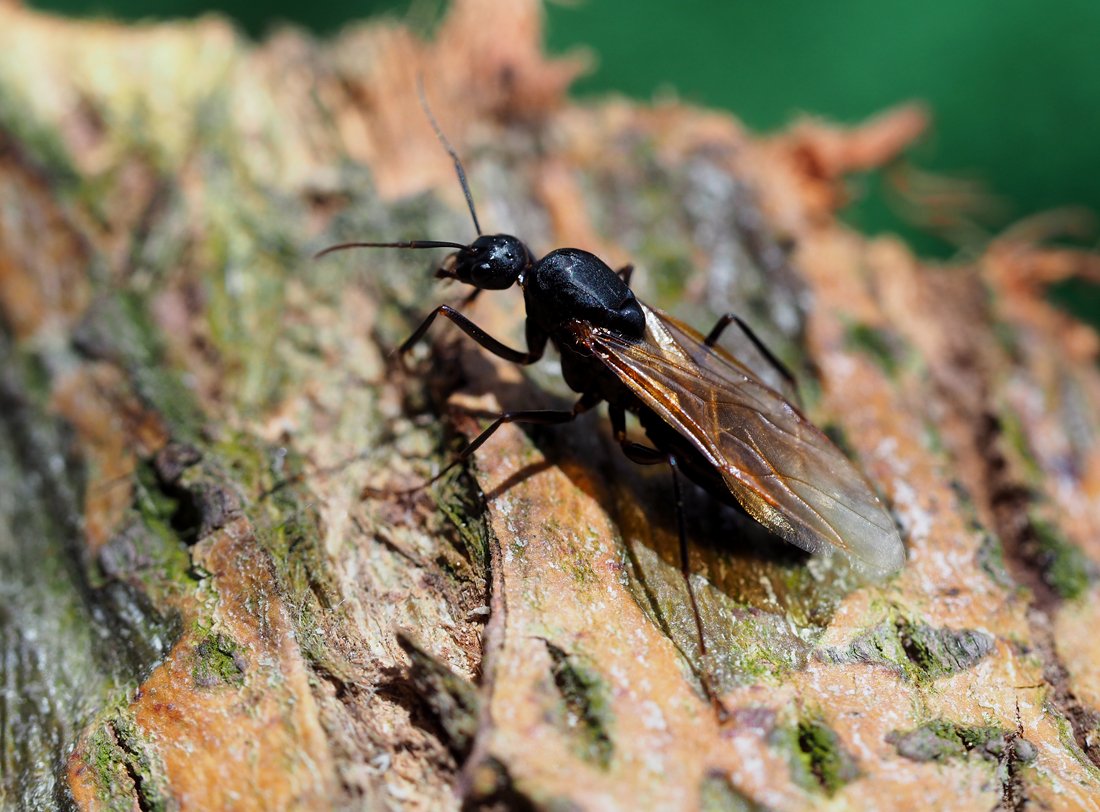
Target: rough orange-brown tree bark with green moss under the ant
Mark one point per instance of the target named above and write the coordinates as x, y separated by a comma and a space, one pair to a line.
200, 609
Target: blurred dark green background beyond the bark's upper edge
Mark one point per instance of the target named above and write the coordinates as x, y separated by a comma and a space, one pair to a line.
1014, 85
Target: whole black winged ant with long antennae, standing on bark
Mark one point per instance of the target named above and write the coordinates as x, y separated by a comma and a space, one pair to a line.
707, 414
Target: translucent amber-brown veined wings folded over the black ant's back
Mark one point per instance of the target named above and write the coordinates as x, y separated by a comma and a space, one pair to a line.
783, 470
